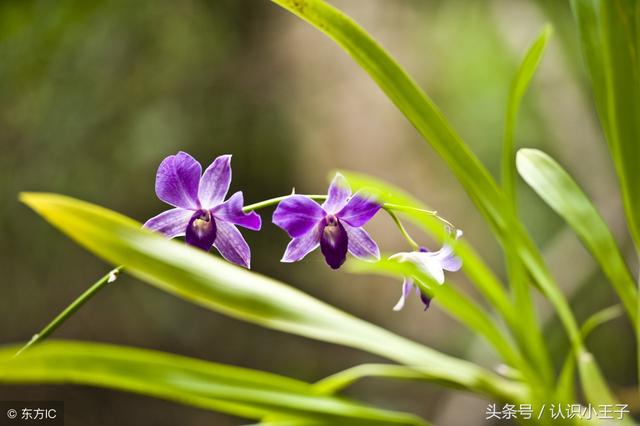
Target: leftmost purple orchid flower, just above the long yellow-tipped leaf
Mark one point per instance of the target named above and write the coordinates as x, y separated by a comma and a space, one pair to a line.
200, 212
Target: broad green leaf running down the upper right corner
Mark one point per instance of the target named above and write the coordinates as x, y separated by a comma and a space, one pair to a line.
609, 34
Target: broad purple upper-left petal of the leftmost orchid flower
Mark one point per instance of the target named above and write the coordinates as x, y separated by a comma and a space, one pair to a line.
177, 181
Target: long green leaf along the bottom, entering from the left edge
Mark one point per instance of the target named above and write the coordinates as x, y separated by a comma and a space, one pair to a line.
238, 391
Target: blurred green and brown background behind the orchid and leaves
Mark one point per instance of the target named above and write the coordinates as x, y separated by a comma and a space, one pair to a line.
93, 95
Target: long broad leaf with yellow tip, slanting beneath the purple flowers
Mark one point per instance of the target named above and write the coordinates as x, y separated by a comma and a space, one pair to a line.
218, 285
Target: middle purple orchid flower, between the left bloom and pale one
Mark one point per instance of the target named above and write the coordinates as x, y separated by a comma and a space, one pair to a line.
335, 226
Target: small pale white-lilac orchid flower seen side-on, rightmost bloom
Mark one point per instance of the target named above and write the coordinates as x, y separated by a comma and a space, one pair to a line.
433, 263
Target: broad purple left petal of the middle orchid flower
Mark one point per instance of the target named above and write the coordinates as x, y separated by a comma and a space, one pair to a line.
297, 215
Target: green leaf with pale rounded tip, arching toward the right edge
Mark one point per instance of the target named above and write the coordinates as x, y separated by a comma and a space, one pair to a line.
556, 187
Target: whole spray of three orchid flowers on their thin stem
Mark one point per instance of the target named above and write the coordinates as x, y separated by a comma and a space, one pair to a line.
206, 220
